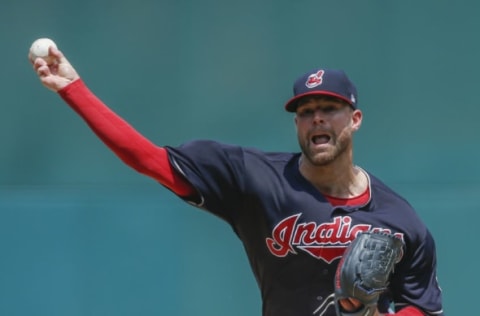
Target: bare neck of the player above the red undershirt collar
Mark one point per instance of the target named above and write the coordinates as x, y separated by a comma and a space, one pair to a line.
337, 179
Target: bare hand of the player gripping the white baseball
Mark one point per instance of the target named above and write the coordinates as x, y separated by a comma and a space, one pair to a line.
53, 69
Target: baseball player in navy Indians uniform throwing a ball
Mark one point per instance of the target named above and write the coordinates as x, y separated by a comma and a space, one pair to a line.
295, 213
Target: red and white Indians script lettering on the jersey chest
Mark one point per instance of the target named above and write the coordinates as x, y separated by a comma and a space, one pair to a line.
325, 241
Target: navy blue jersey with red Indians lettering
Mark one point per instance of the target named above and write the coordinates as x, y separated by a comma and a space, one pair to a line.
294, 237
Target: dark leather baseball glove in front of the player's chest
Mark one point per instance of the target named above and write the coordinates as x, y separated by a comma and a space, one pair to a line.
363, 272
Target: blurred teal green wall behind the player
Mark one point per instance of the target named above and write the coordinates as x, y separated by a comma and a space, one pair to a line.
82, 234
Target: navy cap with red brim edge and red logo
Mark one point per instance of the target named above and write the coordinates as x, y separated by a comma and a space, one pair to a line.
330, 82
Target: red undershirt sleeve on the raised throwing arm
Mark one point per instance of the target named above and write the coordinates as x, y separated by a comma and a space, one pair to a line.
128, 144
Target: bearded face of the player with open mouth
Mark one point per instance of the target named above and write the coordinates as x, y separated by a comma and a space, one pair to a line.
324, 128
